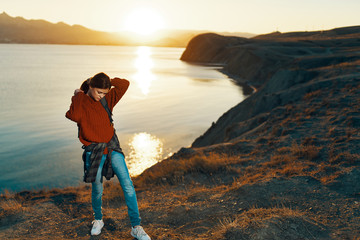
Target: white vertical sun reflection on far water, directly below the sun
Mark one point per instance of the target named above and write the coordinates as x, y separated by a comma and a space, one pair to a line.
144, 64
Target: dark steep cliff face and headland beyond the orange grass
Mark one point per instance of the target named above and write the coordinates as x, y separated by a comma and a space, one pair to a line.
283, 71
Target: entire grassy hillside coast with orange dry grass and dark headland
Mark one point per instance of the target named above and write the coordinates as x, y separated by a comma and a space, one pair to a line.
284, 163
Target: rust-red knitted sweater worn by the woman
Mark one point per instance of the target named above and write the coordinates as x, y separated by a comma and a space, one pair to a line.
92, 117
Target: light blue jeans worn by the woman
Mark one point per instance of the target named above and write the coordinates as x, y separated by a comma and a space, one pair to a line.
122, 173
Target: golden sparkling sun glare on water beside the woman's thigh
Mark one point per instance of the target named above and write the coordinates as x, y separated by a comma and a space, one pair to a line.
145, 151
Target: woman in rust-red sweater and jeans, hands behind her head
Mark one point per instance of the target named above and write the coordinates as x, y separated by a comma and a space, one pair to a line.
102, 153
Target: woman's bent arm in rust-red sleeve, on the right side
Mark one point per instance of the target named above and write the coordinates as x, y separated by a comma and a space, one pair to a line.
120, 86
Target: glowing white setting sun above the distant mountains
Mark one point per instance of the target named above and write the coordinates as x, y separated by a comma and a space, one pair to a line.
144, 21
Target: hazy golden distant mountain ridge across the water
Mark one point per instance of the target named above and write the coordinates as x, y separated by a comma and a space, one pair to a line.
20, 30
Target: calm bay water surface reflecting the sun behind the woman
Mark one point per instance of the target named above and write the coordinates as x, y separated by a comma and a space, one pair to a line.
169, 104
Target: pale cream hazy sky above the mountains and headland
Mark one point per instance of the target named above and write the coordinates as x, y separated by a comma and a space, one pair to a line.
255, 16
